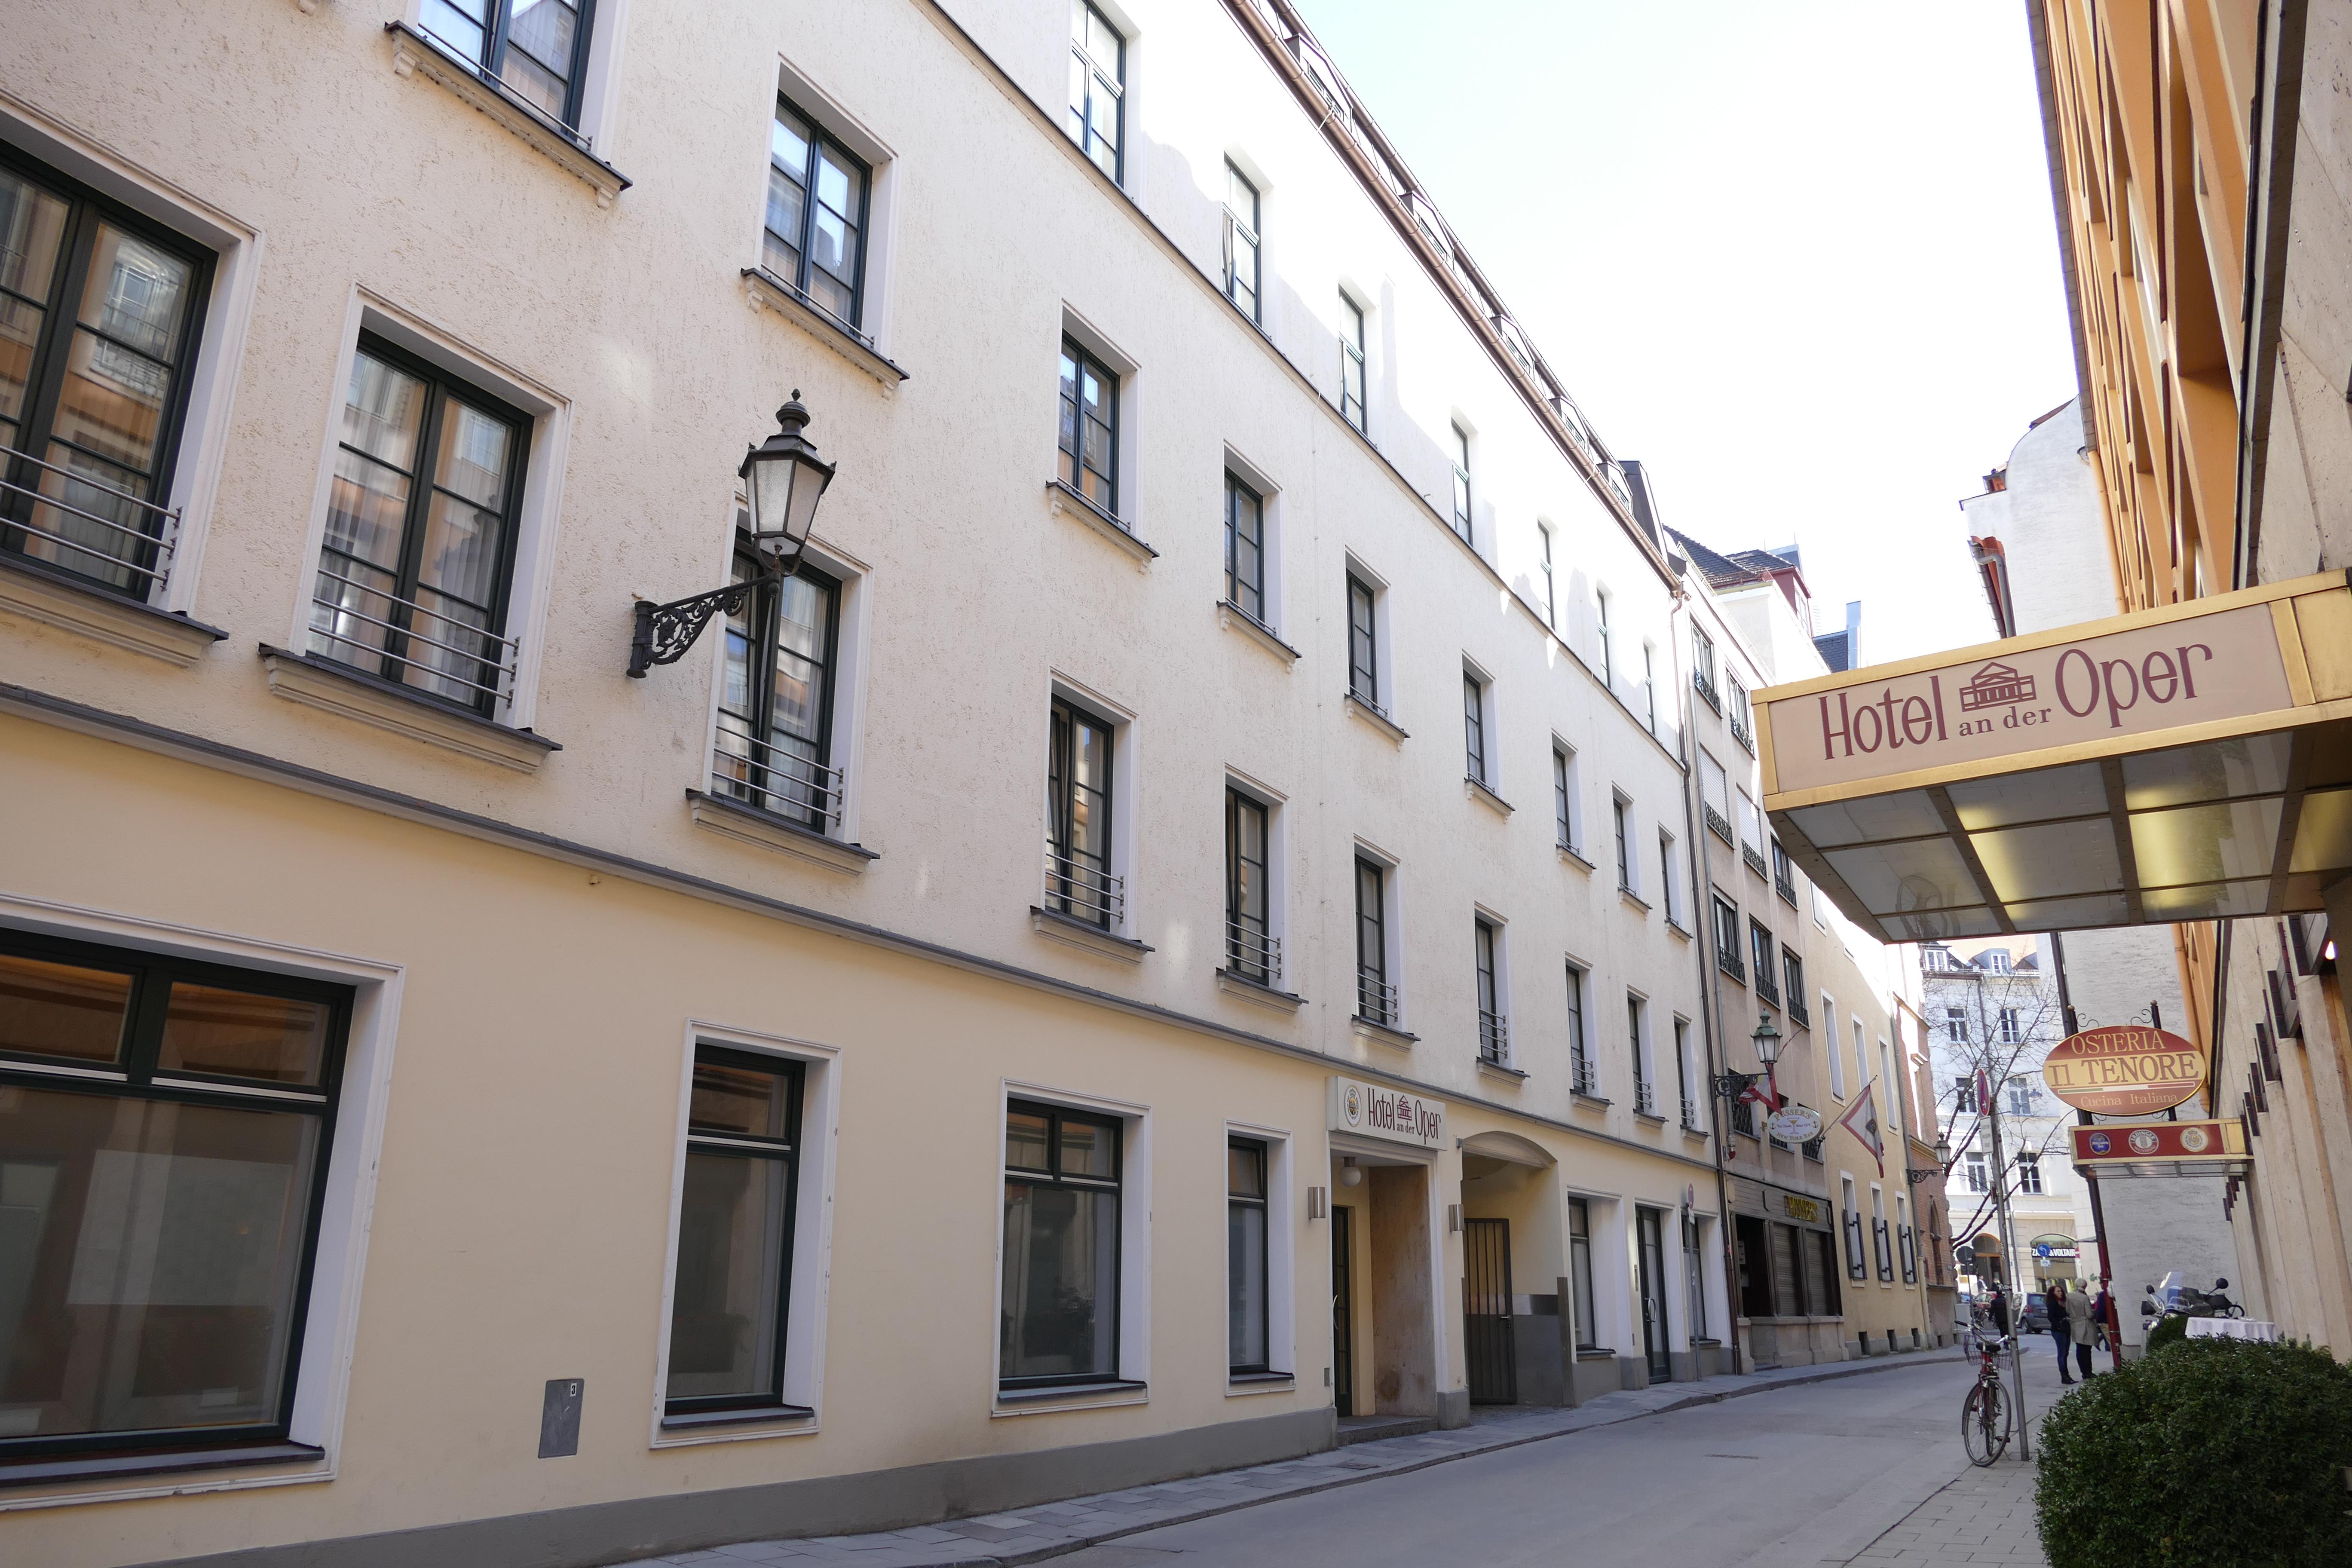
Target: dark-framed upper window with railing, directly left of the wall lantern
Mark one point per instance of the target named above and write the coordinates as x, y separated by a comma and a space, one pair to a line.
420, 551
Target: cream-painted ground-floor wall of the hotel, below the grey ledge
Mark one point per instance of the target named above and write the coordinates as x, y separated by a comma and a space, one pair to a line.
530, 1139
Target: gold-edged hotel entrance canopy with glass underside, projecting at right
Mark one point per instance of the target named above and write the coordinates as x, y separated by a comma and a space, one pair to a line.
2181, 763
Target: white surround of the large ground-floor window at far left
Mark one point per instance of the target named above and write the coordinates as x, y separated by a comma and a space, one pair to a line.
347, 1209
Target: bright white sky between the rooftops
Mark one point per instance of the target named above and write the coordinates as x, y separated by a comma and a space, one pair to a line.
1796, 257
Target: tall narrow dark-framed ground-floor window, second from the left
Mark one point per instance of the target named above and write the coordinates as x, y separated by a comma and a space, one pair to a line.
735, 1235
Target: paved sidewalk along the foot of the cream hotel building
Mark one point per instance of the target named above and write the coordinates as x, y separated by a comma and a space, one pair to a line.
1055, 1529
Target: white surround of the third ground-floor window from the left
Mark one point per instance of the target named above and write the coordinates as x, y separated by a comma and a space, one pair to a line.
1135, 1257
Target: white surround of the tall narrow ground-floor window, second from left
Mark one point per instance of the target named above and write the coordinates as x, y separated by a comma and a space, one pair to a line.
810, 1280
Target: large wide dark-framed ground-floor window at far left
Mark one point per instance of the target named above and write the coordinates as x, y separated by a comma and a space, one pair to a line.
166, 1137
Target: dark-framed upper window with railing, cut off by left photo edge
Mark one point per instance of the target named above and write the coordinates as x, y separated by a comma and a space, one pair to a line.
100, 319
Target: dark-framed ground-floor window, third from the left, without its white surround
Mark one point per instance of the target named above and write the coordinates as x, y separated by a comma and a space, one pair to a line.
1062, 1247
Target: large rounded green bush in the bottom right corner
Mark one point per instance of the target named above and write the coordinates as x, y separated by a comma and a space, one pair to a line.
2217, 1454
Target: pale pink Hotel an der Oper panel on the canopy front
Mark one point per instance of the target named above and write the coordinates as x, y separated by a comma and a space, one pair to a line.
2127, 683
